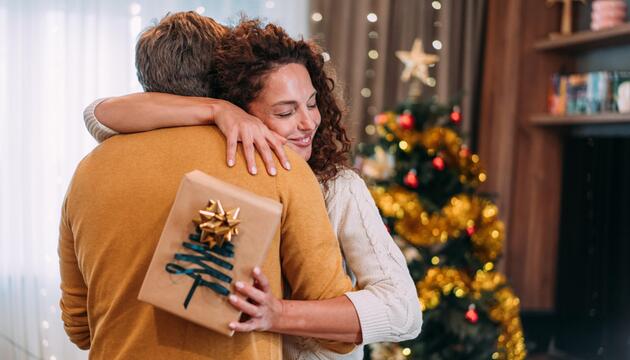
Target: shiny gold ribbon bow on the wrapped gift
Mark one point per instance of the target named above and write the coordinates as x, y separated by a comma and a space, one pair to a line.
217, 226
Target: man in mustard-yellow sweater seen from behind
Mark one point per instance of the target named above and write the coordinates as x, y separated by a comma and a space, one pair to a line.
119, 199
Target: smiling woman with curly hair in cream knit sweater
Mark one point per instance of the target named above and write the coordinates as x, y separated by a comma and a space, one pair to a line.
282, 82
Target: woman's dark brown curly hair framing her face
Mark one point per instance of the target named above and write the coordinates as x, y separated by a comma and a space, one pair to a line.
252, 51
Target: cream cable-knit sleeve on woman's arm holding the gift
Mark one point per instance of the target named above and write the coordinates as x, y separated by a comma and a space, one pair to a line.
387, 304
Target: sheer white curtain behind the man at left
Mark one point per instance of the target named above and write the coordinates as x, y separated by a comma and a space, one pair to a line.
55, 58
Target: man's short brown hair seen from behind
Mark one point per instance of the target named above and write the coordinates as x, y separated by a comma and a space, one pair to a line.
175, 55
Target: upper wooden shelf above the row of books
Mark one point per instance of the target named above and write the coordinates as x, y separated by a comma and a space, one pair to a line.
587, 40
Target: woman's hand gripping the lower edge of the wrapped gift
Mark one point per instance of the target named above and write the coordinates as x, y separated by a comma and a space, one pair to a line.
263, 308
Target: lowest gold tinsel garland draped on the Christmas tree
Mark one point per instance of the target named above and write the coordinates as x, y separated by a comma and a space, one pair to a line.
444, 281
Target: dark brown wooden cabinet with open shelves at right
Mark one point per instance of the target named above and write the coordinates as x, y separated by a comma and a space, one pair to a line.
520, 145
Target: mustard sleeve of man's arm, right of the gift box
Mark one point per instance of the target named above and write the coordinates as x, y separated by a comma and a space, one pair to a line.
311, 260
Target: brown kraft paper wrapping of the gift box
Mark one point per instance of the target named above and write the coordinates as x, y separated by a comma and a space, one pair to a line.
259, 221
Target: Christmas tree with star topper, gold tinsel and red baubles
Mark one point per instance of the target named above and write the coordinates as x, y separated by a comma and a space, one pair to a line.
424, 181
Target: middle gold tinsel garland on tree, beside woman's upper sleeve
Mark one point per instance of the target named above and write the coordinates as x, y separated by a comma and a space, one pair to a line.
461, 213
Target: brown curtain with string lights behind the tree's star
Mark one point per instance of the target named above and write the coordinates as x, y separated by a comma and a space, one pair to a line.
452, 29
